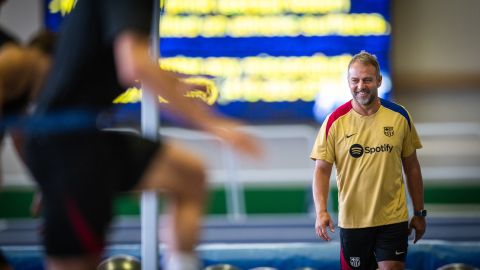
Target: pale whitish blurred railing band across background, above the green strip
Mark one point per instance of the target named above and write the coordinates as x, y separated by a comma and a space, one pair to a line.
451, 152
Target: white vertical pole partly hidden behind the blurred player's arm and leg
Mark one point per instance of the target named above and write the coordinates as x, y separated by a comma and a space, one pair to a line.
150, 126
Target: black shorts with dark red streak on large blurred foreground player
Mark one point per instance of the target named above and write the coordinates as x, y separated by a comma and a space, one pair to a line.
79, 174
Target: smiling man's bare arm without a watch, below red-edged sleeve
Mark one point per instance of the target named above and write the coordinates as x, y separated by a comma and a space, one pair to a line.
320, 188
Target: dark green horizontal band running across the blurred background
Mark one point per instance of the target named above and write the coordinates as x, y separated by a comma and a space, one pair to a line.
16, 202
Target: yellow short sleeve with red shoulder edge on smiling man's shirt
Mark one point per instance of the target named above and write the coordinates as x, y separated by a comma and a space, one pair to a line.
323, 149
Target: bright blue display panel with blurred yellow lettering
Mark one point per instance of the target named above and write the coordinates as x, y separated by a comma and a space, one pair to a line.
269, 61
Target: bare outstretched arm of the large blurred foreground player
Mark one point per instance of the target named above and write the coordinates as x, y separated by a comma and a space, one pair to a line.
133, 62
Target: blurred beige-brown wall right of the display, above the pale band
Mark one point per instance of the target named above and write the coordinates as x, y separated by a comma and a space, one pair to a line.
436, 64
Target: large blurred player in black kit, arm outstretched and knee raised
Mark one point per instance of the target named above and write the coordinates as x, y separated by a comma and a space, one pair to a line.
103, 48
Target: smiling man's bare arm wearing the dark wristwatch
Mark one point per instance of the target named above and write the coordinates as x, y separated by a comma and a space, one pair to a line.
413, 174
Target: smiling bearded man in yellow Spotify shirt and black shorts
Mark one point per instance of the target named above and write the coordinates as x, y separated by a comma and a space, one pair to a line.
370, 140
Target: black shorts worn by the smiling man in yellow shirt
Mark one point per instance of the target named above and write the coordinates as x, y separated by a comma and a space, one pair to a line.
362, 248
